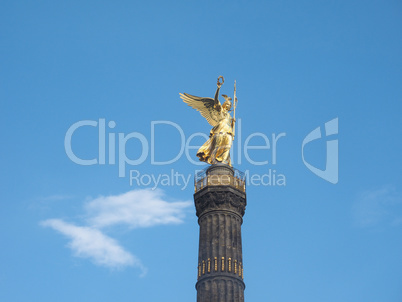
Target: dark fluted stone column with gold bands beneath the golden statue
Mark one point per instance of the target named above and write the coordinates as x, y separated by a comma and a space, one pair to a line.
220, 201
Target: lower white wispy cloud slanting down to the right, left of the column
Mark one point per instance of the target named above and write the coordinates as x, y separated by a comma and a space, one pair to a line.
87, 242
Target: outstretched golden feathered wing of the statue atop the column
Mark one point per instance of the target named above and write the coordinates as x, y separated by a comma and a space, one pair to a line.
204, 105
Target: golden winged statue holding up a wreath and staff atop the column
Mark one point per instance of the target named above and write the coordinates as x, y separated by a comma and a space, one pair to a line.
216, 149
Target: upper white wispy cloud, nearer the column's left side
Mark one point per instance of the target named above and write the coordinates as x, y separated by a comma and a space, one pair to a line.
137, 208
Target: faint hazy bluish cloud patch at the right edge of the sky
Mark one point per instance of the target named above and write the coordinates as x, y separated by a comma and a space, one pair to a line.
382, 205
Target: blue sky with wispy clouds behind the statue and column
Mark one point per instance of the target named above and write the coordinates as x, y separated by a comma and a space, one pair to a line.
74, 232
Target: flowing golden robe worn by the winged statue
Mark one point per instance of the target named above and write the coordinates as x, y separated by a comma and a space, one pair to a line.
216, 149
